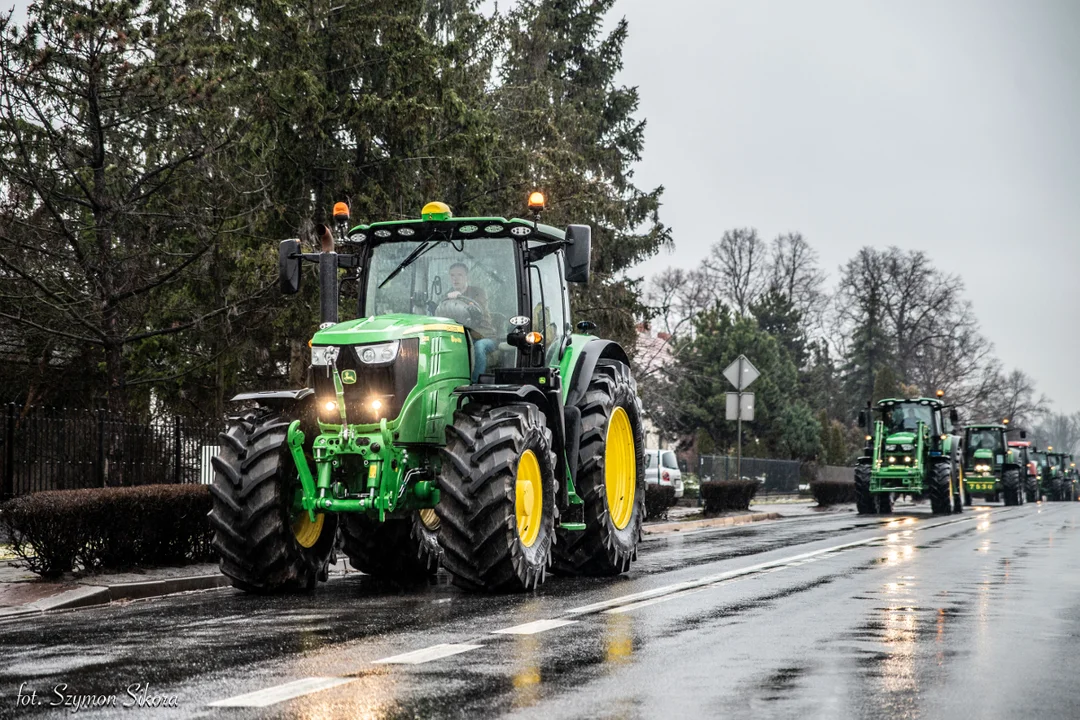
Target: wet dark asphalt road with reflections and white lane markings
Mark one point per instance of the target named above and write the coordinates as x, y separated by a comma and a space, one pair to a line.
832, 617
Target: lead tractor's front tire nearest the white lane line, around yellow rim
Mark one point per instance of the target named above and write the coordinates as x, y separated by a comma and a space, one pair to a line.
479, 534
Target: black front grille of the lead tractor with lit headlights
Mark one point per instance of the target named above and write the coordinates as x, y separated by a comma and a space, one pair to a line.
380, 390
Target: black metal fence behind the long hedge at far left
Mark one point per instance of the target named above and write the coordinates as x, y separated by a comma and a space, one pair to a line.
47, 450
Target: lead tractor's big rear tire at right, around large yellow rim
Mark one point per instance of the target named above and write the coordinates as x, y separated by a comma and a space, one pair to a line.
603, 549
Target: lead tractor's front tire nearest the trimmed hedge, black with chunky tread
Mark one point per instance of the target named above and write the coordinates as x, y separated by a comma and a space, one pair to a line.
252, 514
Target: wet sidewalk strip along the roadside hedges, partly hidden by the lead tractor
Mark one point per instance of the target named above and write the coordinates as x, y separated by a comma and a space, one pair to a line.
24, 594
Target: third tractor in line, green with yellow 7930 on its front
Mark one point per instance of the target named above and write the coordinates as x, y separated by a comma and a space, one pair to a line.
992, 470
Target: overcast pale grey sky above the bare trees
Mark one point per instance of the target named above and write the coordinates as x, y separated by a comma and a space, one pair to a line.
951, 127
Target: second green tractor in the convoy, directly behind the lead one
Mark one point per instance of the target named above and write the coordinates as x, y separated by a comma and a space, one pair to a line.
910, 450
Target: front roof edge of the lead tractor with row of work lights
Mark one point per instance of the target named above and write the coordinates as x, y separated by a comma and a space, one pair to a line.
462, 228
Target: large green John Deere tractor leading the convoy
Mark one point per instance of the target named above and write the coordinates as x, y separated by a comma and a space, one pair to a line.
456, 422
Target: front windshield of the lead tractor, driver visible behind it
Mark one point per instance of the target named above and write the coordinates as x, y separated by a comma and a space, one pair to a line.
472, 282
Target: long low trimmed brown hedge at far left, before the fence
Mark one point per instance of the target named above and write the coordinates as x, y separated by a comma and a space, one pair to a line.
59, 532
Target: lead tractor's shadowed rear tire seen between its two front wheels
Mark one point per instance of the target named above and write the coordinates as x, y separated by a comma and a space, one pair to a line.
404, 551
